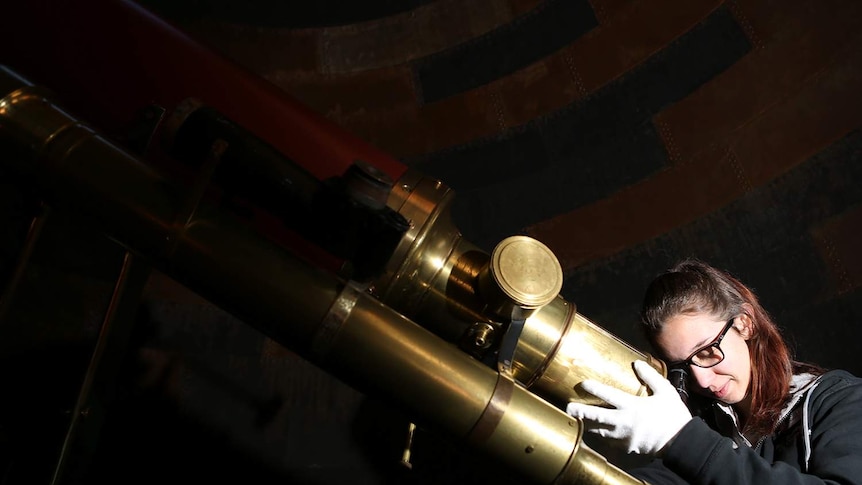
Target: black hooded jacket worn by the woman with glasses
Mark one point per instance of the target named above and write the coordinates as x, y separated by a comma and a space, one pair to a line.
819, 440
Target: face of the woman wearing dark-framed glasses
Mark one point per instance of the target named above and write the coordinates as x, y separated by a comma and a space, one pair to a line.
729, 380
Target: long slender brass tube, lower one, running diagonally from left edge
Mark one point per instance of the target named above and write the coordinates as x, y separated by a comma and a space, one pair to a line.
339, 327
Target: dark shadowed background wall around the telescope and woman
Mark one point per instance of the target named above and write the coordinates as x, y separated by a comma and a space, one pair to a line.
624, 134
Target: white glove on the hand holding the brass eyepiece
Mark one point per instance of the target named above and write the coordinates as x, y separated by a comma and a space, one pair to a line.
643, 424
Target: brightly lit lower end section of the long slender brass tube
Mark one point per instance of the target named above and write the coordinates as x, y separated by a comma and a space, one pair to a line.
467, 399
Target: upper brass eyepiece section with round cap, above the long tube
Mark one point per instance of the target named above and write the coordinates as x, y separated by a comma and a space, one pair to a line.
447, 285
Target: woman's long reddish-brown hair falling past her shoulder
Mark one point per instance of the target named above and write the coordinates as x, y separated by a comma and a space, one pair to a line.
692, 286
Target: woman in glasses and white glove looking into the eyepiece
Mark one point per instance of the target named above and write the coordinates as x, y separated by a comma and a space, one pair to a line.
754, 415
